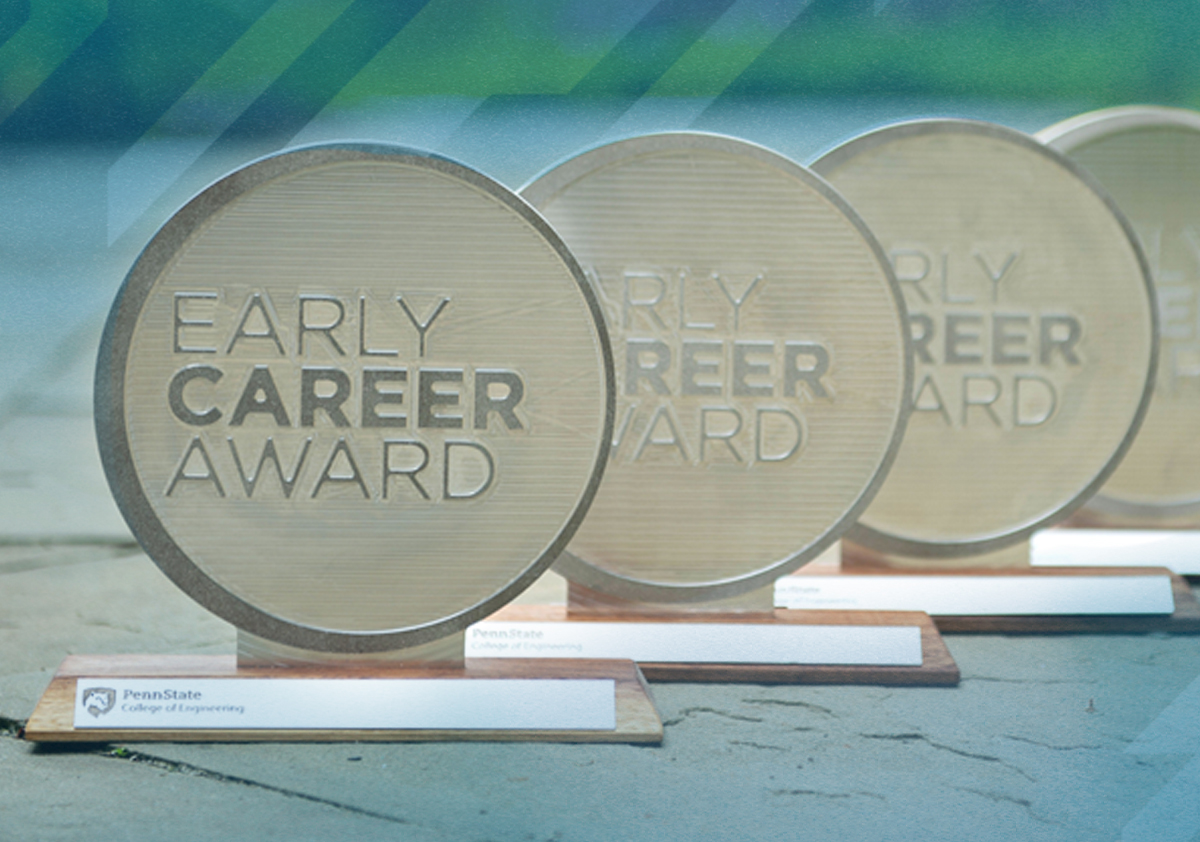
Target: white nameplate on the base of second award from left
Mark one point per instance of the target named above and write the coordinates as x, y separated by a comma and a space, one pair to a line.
700, 643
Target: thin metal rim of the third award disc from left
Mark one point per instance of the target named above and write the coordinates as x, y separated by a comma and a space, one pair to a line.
887, 543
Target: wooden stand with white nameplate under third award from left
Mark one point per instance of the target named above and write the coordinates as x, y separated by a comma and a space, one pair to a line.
1004, 593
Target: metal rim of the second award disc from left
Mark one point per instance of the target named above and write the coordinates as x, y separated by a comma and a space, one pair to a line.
544, 187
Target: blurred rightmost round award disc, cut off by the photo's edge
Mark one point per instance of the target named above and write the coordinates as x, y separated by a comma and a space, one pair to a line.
1149, 160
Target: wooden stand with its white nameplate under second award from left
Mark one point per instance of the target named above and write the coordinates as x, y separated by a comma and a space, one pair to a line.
680, 643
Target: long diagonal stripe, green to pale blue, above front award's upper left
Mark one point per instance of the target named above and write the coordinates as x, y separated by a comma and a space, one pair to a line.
224, 93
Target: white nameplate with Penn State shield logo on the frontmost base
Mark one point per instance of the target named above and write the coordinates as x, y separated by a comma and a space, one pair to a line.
359, 705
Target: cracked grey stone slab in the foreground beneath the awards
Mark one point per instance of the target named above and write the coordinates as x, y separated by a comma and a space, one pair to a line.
1040, 742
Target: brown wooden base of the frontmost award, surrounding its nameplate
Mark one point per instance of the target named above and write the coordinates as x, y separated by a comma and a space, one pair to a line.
53, 720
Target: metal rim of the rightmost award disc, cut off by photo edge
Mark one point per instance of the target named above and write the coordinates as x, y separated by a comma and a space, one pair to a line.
1069, 136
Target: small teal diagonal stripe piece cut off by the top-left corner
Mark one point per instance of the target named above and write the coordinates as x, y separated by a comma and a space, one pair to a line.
53, 32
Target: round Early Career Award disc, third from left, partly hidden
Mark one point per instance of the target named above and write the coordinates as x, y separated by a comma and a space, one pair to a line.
1034, 332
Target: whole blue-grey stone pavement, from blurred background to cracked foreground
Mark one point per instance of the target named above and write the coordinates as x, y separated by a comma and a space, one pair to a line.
1089, 738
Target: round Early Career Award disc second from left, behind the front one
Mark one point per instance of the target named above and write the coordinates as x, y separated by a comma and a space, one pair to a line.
763, 366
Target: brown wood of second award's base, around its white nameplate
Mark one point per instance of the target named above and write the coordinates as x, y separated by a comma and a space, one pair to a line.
938, 667
